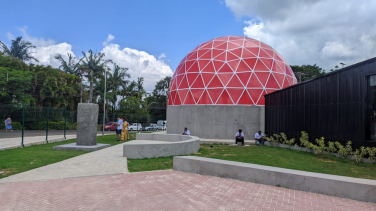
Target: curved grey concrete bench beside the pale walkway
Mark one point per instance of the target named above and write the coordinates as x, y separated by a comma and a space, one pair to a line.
149, 145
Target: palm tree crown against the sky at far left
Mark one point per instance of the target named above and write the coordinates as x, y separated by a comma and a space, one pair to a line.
19, 49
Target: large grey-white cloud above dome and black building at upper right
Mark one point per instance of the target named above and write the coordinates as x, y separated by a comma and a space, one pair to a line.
312, 31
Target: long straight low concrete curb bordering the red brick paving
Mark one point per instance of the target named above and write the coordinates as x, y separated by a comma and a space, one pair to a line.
345, 187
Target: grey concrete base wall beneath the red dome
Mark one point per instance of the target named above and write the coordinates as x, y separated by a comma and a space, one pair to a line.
216, 121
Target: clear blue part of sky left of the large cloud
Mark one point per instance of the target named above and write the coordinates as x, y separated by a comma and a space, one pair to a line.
162, 26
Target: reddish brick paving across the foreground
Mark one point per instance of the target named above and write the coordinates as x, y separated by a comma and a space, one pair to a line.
163, 190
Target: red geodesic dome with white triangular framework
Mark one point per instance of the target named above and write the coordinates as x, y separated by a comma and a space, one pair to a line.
230, 70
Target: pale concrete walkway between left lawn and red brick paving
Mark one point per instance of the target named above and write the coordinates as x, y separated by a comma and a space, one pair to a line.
102, 162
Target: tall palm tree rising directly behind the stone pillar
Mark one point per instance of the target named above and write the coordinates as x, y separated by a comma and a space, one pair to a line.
95, 65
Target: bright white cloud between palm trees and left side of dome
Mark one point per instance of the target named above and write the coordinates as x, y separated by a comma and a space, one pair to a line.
140, 64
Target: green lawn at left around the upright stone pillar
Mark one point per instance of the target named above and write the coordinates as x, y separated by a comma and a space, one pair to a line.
18, 160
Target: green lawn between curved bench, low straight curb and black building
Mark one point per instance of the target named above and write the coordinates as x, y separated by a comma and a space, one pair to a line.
269, 156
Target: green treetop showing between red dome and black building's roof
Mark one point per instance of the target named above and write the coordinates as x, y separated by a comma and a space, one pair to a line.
307, 72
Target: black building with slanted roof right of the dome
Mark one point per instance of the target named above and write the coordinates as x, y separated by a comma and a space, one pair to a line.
339, 106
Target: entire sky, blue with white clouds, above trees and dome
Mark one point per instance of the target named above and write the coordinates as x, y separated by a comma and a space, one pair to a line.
152, 36
